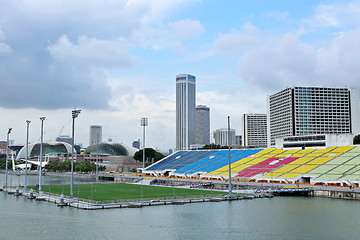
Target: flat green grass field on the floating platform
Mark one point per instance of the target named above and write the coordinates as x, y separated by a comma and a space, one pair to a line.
125, 192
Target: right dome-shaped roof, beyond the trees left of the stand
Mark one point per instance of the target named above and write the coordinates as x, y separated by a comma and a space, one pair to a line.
111, 149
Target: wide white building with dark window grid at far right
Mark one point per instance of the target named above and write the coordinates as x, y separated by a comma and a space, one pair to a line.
299, 111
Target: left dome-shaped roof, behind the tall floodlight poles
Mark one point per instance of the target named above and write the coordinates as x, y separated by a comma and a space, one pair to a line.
54, 148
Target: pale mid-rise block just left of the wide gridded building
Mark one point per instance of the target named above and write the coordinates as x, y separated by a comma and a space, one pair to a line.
254, 130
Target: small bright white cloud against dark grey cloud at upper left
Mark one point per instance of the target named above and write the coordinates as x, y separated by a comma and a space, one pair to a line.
90, 51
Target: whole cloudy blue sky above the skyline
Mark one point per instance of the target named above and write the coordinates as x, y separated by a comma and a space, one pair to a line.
117, 61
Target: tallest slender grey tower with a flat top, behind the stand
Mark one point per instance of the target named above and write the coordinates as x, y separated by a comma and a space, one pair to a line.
185, 111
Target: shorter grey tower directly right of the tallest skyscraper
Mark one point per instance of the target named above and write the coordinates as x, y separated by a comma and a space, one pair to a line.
202, 125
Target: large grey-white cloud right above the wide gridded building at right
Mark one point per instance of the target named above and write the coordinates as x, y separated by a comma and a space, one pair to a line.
287, 61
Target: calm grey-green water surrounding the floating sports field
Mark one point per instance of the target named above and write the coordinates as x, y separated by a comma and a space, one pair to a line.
276, 218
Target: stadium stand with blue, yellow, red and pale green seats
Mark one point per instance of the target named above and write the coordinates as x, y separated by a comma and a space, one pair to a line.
333, 164
